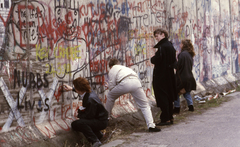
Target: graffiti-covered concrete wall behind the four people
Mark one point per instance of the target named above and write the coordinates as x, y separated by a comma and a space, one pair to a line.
44, 44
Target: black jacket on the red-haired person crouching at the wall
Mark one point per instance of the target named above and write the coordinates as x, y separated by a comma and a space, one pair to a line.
94, 108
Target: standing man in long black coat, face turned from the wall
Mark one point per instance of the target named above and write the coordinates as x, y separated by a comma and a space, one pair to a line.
164, 83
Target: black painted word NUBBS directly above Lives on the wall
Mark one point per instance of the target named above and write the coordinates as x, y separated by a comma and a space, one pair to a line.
34, 80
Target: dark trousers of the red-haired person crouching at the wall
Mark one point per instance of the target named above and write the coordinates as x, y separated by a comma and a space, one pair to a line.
90, 128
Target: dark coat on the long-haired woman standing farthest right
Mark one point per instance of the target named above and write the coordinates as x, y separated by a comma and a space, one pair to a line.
184, 75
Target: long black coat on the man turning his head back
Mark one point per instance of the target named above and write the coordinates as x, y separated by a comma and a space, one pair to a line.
163, 72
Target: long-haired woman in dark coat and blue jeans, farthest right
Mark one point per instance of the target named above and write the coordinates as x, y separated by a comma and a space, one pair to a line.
185, 79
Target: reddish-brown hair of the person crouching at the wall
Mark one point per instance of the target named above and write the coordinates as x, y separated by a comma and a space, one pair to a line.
82, 84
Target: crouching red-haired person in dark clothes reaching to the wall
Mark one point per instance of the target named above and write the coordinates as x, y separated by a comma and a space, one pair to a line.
93, 117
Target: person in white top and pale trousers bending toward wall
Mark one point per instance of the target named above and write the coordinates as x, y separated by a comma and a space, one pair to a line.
123, 80
